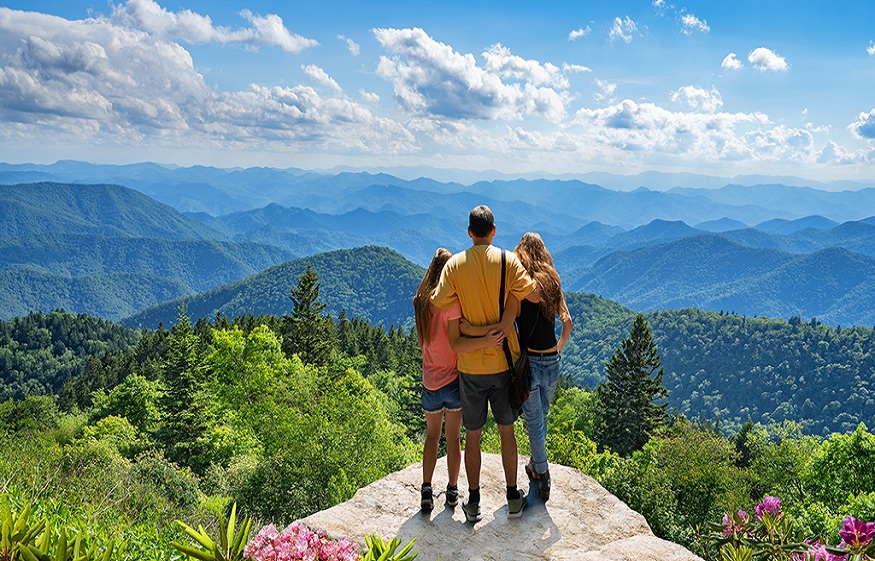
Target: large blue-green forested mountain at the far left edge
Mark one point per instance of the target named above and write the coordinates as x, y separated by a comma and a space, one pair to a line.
110, 251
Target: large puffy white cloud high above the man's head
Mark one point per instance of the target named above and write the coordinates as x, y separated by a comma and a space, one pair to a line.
431, 79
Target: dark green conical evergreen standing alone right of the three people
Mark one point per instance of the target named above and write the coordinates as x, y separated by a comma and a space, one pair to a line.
629, 416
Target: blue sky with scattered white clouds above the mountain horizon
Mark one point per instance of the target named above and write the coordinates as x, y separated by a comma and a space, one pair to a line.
768, 87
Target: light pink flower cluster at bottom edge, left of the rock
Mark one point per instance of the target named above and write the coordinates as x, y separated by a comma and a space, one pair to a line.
299, 543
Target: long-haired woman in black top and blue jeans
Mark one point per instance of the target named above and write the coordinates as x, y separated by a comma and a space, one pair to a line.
536, 325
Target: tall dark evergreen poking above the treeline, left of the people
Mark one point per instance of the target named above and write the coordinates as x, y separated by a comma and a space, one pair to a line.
308, 332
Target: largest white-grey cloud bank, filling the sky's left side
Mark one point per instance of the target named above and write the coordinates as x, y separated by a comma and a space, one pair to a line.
94, 80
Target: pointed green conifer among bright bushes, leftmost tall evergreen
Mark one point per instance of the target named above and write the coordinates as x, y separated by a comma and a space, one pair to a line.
184, 411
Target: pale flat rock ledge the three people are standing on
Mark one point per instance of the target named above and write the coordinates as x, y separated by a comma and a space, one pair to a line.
581, 521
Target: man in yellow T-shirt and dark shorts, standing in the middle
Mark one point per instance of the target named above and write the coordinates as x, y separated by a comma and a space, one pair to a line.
473, 277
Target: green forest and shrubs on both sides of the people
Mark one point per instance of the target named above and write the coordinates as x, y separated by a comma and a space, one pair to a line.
114, 433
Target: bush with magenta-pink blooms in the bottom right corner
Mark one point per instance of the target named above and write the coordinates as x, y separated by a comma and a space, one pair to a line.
771, 535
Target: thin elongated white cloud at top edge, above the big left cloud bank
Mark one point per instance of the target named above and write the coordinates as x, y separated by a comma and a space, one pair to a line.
190, 27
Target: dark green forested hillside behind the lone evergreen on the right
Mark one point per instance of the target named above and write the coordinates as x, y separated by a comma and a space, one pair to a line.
729, 368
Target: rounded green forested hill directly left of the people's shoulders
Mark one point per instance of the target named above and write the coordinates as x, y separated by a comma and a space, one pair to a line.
373, 283
